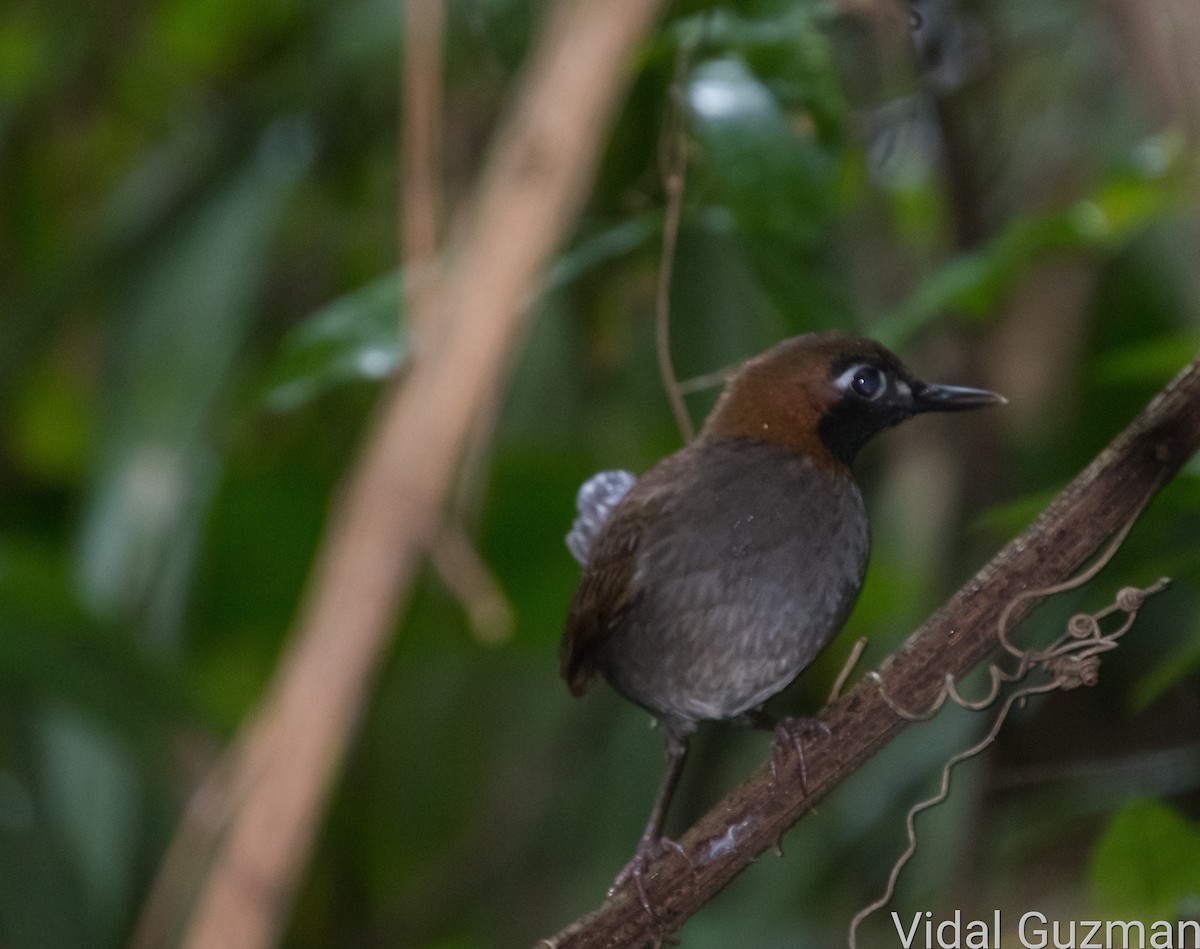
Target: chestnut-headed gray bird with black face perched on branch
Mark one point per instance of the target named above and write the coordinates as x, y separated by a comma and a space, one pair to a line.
713, 580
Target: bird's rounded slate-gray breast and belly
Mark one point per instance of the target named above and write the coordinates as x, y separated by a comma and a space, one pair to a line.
752, 566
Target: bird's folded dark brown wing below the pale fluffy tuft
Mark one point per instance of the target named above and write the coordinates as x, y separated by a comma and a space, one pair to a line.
605, 594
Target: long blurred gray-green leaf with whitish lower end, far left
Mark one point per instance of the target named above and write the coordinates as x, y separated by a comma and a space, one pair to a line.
185, 322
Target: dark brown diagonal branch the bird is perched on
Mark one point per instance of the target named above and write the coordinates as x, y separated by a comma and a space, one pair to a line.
1107, 495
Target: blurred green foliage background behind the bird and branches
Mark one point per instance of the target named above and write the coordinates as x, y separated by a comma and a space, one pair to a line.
199, 298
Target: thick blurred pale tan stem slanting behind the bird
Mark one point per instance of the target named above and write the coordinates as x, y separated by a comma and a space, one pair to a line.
290, 755
